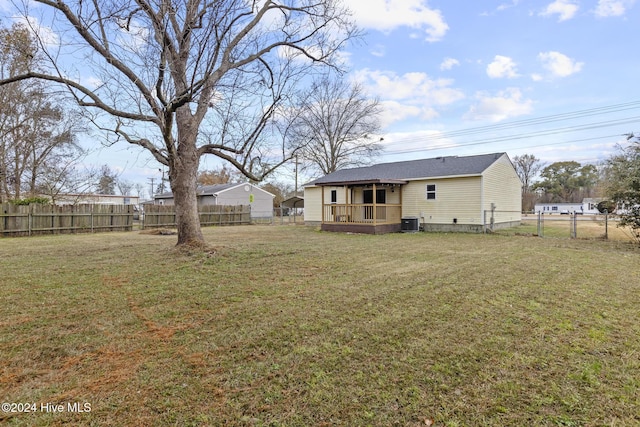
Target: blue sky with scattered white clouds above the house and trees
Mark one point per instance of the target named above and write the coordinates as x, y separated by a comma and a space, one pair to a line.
556, 79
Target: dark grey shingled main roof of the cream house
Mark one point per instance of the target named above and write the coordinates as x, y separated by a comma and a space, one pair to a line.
413, 169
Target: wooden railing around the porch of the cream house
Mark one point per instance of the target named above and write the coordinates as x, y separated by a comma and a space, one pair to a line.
362, 213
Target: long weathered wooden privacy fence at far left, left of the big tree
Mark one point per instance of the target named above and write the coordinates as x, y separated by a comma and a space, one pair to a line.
36, 219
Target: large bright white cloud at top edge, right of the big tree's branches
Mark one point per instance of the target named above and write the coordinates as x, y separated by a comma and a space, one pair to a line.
387, 15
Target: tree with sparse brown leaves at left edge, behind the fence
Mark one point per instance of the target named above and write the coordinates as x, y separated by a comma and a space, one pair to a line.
34, 127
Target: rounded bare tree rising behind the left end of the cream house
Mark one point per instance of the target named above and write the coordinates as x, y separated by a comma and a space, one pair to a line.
337, 124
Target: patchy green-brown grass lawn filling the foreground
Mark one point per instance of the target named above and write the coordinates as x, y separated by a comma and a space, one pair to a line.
288, 326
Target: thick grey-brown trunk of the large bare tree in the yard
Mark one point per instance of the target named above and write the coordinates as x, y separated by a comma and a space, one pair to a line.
183, 173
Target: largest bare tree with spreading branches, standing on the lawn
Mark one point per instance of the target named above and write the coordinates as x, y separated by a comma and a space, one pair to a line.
184, 79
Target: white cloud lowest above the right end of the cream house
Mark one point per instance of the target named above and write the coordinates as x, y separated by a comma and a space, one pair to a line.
506, 104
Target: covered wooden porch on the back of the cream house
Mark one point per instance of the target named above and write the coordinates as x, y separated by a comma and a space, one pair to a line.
371, 206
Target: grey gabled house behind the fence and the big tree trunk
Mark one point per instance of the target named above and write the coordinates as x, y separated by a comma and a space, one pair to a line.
261, 201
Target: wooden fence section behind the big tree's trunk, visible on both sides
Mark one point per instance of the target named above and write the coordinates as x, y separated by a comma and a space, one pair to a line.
165, 215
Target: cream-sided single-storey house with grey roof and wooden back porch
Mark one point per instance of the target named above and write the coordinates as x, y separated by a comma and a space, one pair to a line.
439, 194
